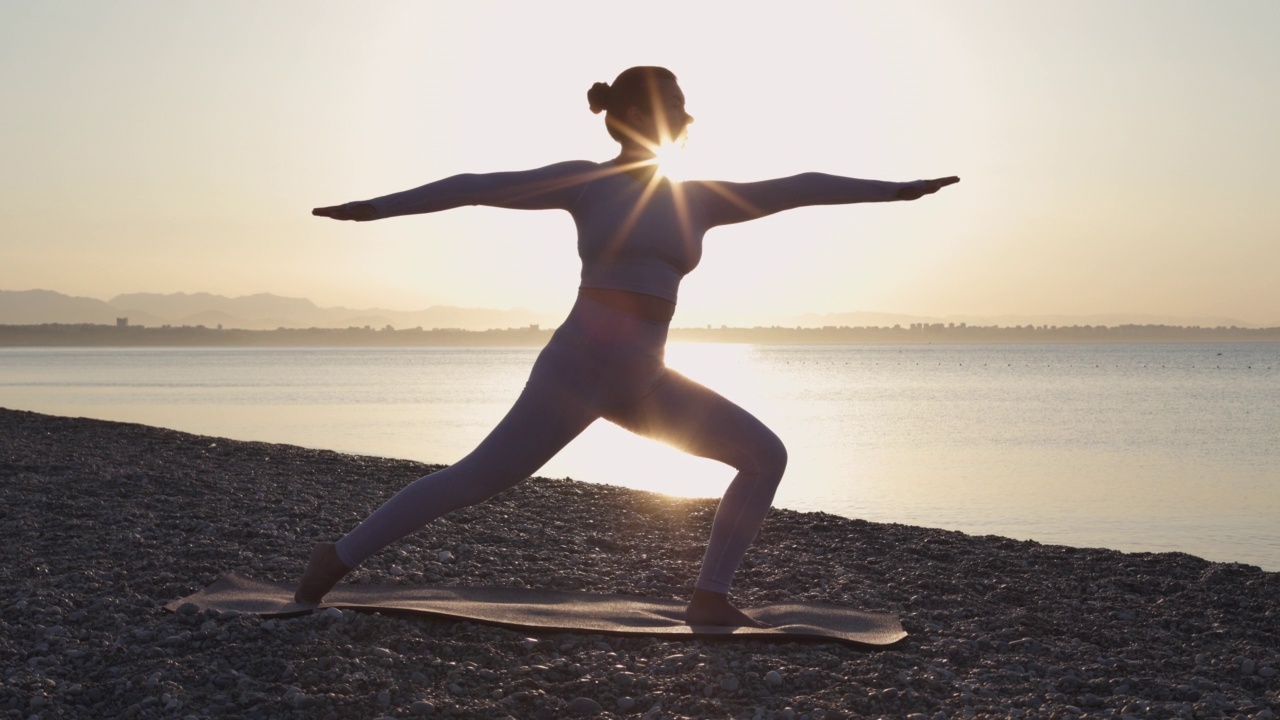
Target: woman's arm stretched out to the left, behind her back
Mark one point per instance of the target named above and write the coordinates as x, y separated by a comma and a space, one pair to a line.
545, 189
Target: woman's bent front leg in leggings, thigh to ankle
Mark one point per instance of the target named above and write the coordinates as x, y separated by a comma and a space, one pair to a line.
702, 422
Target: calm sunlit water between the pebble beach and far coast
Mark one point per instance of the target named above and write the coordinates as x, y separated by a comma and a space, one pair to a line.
1139, 448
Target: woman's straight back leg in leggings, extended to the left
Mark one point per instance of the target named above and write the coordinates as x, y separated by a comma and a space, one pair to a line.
542, 422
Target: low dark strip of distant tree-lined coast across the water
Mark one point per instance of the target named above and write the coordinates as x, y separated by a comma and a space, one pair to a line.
62, 335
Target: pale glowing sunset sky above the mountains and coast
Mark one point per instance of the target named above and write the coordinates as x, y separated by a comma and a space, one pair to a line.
1117, 158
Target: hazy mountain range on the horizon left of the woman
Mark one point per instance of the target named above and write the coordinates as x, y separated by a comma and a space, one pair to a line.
250, 312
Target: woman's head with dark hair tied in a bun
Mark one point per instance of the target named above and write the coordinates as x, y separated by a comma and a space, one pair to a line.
644, 107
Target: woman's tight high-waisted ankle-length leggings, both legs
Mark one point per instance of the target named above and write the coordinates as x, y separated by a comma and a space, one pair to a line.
601, 363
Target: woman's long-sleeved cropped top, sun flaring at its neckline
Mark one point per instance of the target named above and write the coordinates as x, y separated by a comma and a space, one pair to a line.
634, 235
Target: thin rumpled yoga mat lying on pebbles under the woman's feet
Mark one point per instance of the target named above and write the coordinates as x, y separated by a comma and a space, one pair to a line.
554, 610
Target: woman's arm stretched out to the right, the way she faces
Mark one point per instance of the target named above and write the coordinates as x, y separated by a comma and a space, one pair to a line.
738, 202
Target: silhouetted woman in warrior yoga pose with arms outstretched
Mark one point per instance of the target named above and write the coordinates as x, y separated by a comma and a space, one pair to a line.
638, 235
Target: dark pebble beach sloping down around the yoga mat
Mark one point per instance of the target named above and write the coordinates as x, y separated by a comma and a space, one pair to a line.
107, 522
